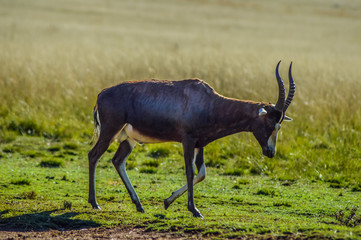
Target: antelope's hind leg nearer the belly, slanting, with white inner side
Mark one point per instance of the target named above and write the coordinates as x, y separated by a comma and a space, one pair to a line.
119, 161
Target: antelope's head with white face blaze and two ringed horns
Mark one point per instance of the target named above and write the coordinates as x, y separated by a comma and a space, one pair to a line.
268, 121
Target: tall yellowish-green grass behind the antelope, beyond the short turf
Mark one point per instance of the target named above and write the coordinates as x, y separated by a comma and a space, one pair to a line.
55, 58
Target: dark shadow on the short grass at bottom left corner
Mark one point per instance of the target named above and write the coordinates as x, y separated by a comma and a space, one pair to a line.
43, 221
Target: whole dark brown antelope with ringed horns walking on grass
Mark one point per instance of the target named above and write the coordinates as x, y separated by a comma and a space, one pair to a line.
189, 112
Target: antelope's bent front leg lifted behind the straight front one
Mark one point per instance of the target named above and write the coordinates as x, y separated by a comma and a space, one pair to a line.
200, 177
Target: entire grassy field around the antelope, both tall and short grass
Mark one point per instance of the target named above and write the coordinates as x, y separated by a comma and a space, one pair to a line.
54, 59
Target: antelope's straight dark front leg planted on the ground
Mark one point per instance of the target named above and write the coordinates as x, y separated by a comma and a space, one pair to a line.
188, 151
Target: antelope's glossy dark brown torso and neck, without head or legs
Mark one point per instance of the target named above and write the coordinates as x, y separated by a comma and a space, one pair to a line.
171, 111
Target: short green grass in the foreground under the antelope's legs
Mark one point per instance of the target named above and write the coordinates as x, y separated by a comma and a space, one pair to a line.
260, 205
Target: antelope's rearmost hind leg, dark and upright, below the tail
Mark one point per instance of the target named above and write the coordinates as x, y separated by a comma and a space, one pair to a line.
97, 151
